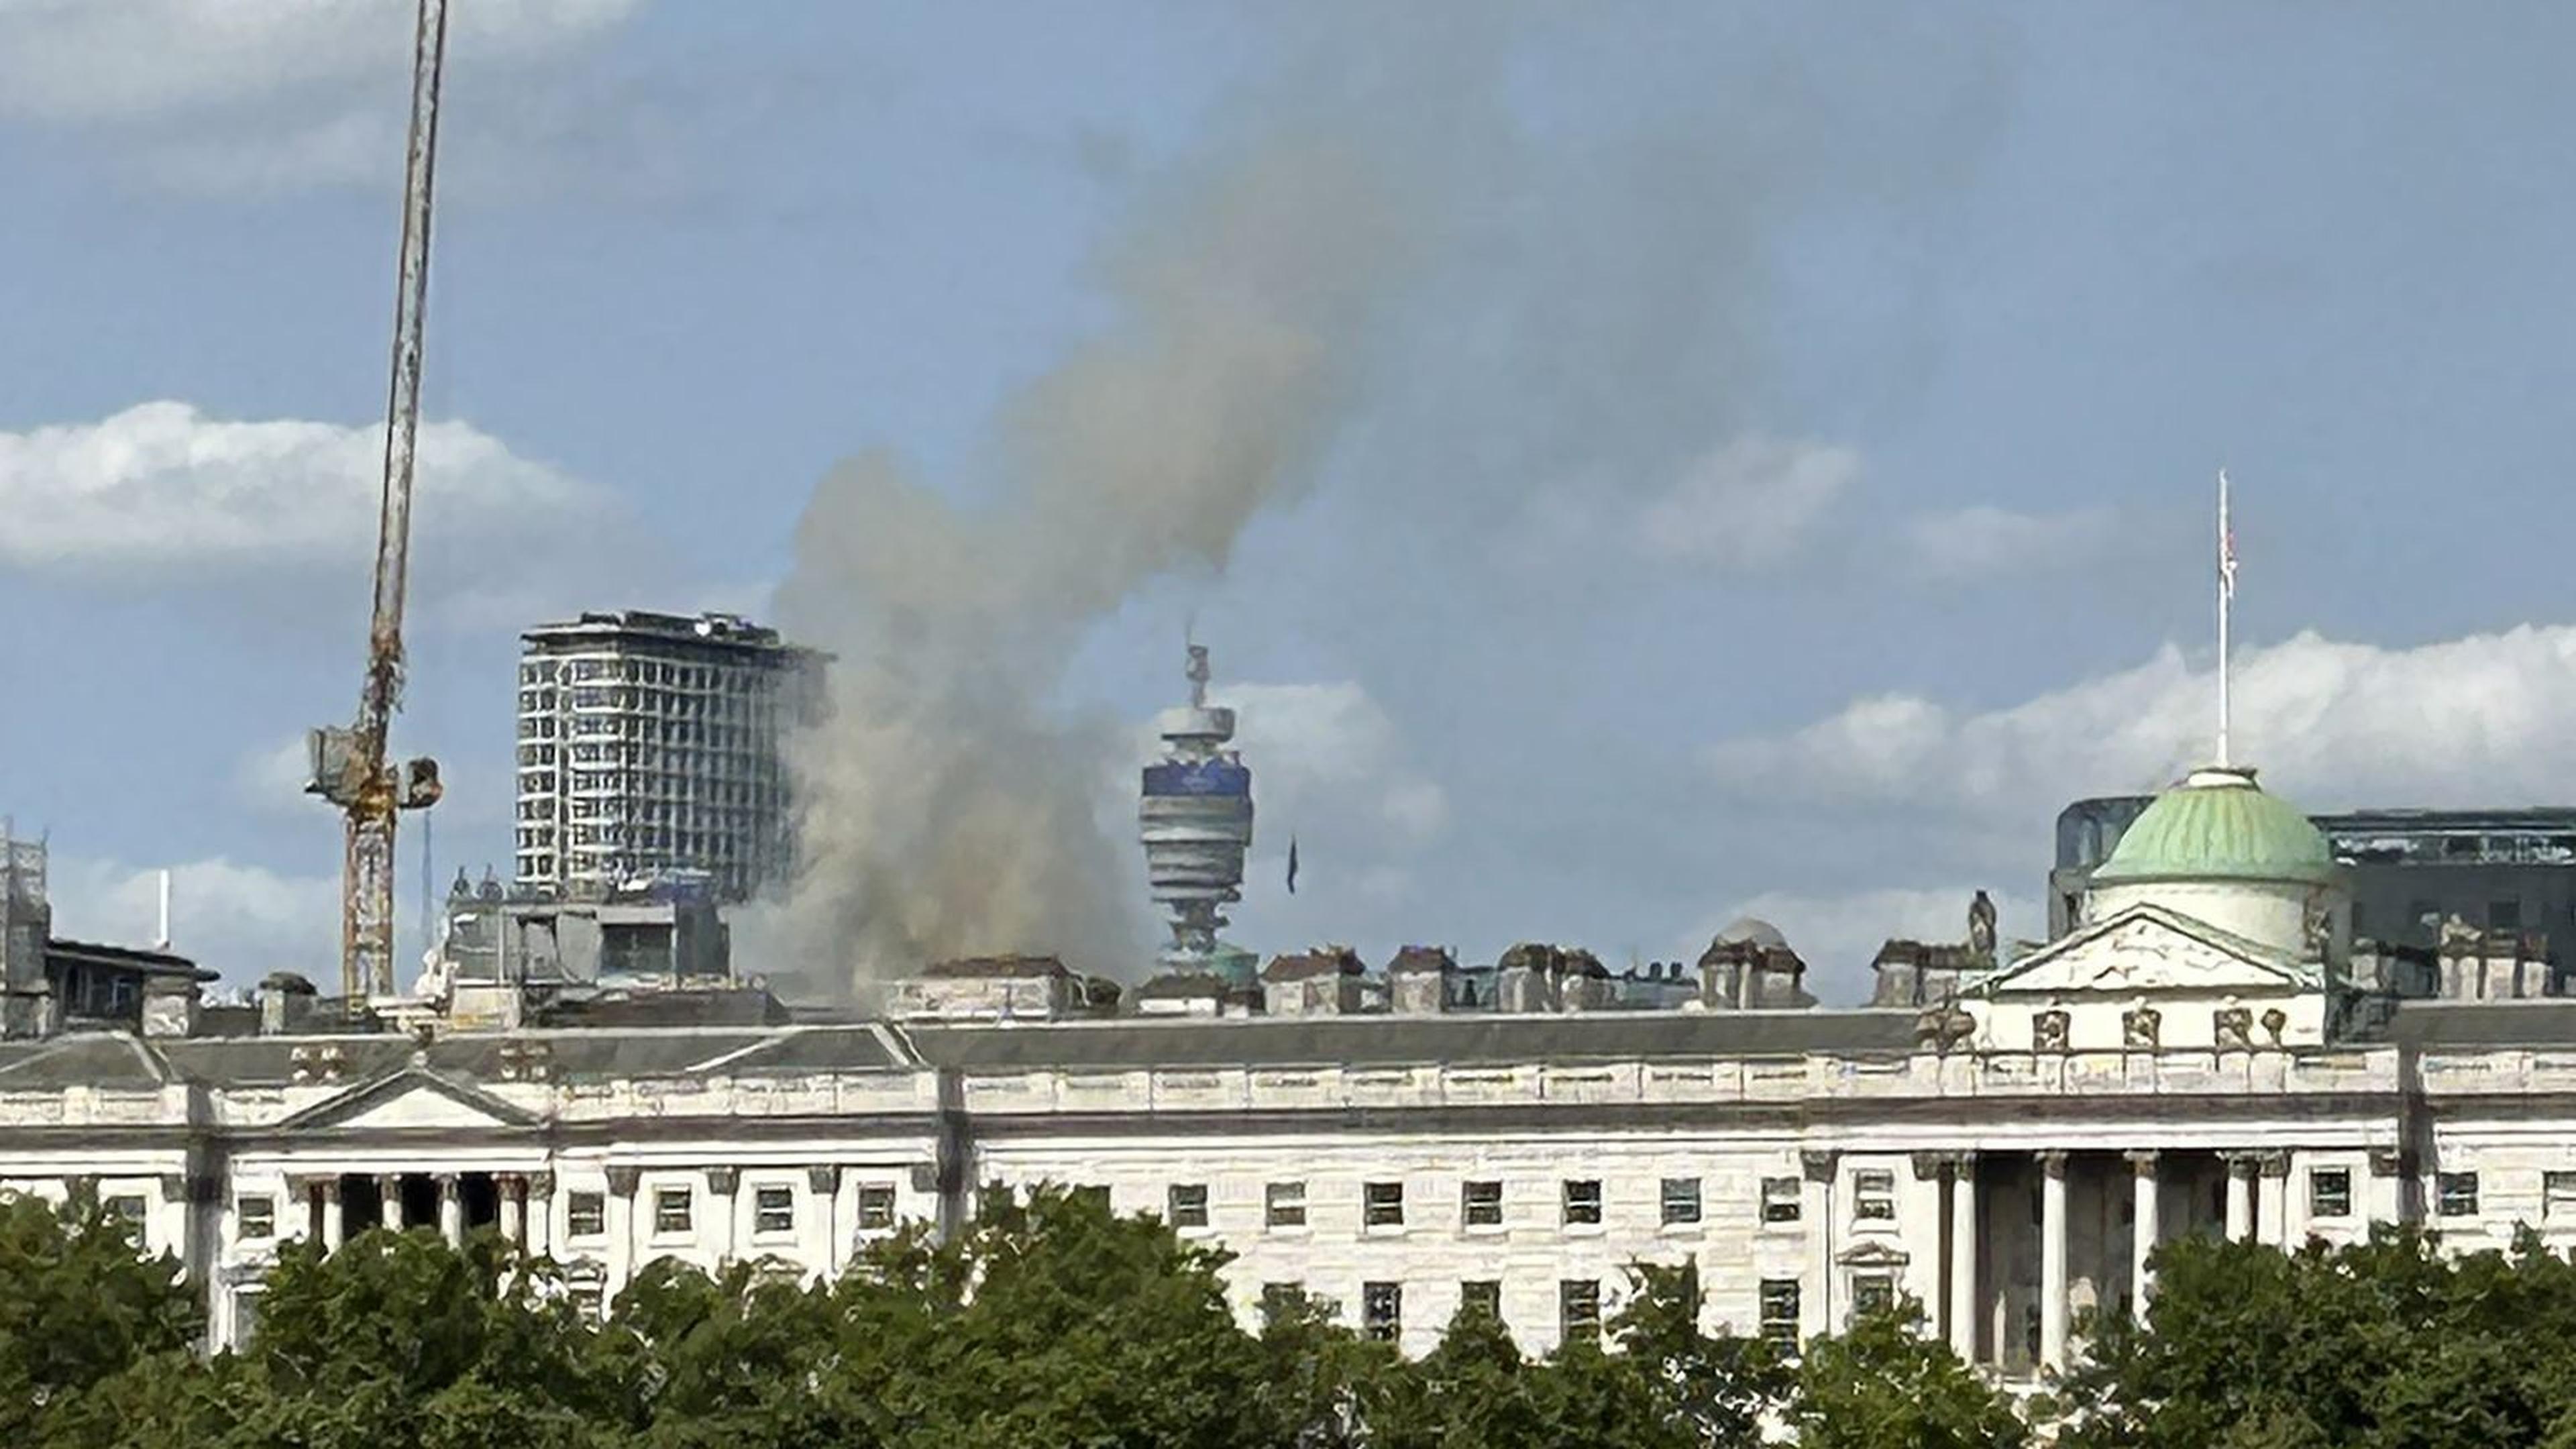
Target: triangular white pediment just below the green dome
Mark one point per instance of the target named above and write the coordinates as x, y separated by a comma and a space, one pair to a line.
2150, 950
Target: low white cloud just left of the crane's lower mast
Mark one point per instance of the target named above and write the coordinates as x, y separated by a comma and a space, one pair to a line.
236, 919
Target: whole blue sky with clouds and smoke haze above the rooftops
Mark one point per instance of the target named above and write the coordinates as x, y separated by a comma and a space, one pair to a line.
1753, 458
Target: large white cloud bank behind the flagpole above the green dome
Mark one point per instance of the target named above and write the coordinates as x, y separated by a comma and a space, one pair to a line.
2477, 721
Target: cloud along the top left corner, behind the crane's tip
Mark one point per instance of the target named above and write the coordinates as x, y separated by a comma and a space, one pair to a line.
133, 61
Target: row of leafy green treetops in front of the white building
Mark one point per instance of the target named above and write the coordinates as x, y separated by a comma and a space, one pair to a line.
1055, 1324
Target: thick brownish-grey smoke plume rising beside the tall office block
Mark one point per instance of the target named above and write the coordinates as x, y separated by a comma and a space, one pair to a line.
947, 806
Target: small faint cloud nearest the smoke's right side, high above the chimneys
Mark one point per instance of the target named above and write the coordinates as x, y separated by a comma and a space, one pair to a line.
1748, 504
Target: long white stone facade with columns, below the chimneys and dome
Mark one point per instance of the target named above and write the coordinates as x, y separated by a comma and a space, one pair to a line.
1385, 1164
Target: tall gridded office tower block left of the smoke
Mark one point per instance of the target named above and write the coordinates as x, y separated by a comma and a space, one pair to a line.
650, 746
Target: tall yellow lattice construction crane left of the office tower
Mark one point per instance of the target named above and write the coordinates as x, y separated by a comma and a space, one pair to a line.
349, 767
